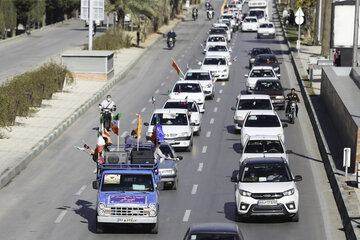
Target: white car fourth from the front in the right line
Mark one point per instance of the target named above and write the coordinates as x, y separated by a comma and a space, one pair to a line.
248, 102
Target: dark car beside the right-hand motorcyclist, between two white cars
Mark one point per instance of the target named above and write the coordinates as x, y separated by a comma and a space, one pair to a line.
273, 88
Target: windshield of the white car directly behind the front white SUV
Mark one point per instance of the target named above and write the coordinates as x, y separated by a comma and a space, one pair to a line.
263, 146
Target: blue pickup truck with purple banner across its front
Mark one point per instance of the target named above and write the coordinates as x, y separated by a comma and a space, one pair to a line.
127, 194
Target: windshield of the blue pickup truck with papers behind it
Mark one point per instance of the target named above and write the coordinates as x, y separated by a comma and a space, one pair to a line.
127, 182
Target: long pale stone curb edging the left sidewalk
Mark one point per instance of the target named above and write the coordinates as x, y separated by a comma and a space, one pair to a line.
42, 144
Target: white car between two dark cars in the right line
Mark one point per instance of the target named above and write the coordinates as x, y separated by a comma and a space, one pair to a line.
257, 73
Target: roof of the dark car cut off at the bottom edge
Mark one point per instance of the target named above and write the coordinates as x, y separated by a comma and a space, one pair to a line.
214, 227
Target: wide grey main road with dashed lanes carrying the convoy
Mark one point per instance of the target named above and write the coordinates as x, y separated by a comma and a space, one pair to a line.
52, 198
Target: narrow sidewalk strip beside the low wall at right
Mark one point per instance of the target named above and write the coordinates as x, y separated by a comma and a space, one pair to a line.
345, 192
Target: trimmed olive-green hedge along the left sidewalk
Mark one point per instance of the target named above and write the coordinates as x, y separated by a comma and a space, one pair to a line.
27, 90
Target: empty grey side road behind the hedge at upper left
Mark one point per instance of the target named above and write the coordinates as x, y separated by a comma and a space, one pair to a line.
26, 53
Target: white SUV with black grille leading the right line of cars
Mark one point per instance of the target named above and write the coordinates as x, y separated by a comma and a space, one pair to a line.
266, 186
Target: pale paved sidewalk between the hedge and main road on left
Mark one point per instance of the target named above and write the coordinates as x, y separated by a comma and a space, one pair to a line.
24, 141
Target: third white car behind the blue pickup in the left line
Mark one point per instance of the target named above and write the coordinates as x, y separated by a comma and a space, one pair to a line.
189, 90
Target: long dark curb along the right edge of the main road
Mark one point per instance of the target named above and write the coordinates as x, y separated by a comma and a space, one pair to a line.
343, 205
